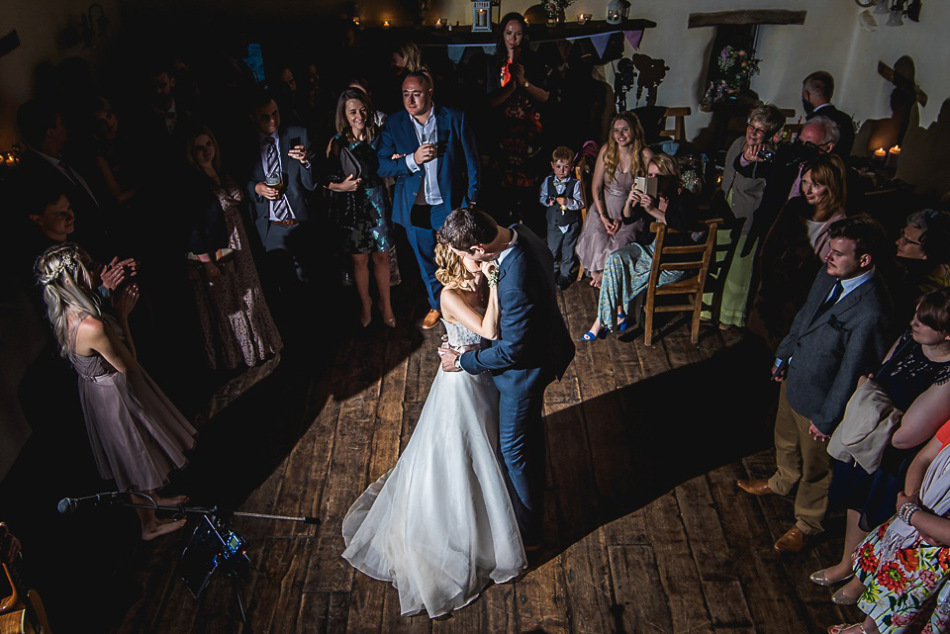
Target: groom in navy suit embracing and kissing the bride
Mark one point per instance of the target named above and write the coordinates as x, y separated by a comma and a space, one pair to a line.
533, 348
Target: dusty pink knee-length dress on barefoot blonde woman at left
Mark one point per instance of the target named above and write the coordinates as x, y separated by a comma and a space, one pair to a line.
138, 436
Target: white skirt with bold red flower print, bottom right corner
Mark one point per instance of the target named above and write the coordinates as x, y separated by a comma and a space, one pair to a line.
906, 591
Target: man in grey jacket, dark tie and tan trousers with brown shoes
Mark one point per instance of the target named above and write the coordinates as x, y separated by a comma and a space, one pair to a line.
838, 335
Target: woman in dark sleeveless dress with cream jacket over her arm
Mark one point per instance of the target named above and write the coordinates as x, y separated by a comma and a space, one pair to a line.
915, 378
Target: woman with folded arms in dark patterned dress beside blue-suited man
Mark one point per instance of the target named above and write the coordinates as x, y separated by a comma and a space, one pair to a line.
359, 206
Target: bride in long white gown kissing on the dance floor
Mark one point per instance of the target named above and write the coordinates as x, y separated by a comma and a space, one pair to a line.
440, 524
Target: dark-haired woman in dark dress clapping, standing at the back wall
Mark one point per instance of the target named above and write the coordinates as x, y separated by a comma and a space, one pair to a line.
516, 93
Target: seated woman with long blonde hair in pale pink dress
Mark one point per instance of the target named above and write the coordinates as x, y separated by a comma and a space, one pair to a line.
619, 162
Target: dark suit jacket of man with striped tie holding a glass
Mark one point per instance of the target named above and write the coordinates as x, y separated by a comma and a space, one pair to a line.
297, 178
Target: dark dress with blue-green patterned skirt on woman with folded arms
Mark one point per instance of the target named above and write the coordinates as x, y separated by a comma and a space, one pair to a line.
361, 217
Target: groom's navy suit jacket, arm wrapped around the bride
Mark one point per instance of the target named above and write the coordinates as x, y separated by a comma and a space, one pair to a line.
532, 335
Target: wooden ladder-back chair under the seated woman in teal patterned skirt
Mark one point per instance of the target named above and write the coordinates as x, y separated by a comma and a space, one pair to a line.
691, 286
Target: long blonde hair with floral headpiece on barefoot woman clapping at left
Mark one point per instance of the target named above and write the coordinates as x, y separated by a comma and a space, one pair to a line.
63, 271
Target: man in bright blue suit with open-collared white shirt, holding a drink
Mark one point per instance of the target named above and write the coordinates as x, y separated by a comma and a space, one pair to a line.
430, 152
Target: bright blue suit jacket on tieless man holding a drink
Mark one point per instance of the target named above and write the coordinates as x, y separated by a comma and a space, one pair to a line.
458, 182
